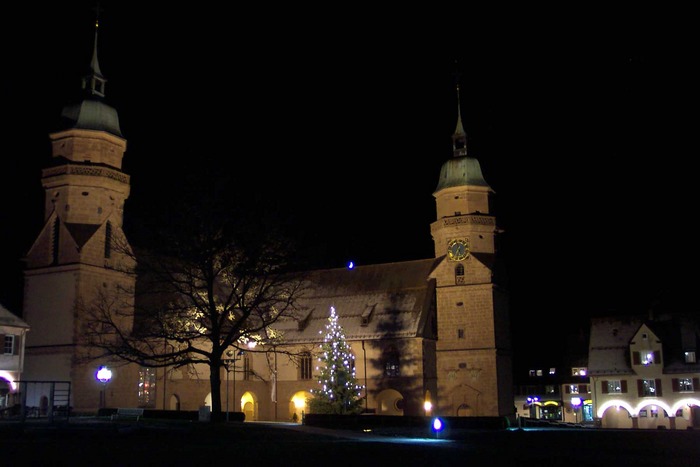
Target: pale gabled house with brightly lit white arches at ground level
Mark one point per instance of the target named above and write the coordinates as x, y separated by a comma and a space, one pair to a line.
644, 371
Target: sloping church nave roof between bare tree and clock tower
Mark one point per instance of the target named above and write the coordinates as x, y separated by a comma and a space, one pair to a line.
372, 302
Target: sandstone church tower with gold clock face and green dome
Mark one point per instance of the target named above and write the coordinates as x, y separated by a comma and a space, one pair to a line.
474, 361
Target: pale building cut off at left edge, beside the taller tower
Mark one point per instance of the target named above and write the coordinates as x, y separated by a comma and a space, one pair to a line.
13, 332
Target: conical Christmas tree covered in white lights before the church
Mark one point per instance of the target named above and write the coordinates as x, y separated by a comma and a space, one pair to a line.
339, 393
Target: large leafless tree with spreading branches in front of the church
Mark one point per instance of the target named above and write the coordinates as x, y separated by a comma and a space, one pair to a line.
213, 284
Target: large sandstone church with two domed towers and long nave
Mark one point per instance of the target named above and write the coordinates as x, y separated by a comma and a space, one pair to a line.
431, 330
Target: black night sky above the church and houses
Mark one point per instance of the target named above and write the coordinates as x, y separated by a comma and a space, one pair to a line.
582, 128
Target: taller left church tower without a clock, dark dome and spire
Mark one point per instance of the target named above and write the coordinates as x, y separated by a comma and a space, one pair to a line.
81, 252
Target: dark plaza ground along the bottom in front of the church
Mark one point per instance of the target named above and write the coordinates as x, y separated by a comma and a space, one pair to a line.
153, 443
